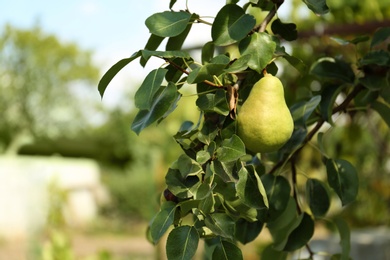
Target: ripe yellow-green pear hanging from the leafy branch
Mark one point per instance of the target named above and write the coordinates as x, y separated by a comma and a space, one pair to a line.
264, 122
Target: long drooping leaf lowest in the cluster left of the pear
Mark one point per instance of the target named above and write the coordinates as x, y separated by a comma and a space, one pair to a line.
163, 101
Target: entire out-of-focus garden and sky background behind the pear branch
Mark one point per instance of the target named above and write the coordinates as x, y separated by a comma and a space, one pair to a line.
76, 183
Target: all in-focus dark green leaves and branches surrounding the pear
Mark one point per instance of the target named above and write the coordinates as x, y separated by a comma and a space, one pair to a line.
230, 193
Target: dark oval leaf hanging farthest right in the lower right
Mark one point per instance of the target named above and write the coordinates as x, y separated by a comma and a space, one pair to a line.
343, 178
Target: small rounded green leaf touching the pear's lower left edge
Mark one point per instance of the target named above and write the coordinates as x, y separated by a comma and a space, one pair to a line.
231, 149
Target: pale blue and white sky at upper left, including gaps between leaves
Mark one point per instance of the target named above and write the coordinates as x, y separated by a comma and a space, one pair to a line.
111, 29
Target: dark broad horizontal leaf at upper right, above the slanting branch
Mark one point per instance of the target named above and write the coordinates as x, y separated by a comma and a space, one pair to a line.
332, 69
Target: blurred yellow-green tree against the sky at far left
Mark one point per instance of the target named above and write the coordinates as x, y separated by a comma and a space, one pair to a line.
39, 79
